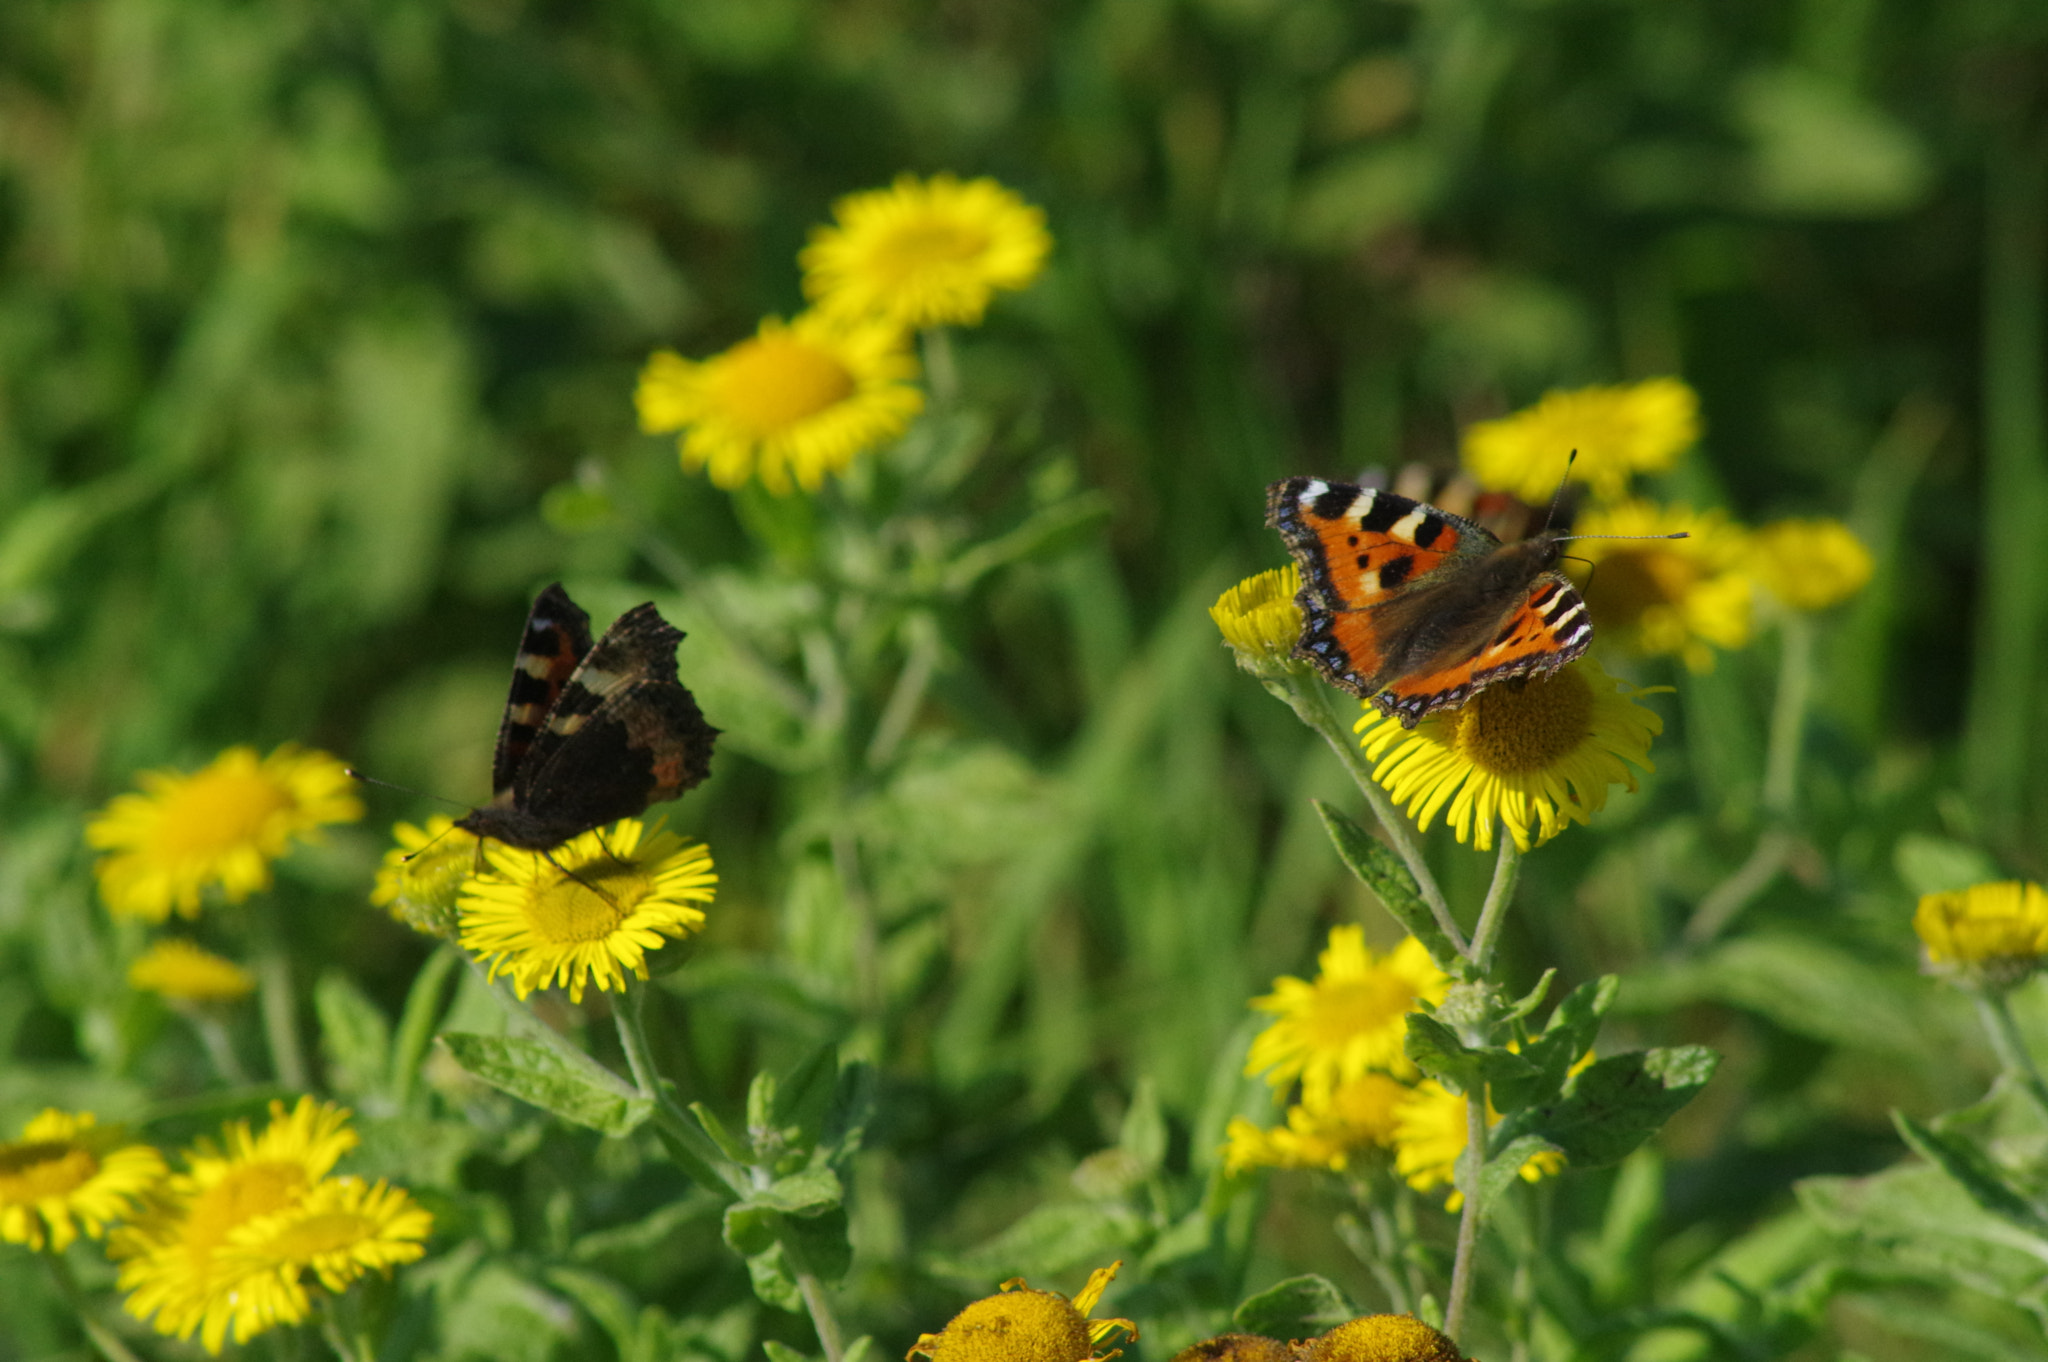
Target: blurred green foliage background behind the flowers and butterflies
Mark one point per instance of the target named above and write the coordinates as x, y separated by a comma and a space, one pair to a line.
318, 327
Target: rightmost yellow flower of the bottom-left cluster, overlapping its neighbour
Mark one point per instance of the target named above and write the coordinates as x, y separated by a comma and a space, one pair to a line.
339, 1232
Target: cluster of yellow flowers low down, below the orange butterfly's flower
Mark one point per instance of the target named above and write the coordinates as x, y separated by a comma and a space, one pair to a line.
1340, 1039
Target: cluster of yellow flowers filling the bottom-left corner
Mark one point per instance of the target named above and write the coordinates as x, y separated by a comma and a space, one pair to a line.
234, 1244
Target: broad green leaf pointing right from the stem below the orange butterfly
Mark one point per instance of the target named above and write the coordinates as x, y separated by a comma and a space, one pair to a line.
1619, 1103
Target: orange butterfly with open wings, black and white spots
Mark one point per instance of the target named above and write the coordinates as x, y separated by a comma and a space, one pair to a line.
1414, 607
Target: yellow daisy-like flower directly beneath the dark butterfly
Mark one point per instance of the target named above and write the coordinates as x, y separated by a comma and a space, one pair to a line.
593, 912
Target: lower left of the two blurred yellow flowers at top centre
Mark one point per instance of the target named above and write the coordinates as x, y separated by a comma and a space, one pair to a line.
790, 407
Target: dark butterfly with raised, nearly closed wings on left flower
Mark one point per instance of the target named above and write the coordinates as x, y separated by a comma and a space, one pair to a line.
591, 734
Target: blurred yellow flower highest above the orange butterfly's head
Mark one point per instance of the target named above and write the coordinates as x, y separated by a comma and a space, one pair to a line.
1615, 431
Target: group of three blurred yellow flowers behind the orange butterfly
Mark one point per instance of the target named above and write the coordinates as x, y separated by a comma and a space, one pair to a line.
1672, 597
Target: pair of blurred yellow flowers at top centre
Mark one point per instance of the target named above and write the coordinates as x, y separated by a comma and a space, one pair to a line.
804, 398
